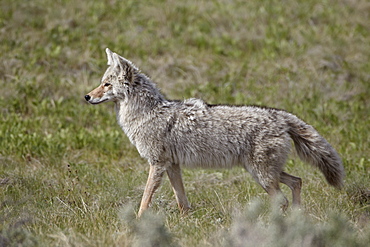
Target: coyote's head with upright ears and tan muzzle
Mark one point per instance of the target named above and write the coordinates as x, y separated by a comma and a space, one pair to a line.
117, 80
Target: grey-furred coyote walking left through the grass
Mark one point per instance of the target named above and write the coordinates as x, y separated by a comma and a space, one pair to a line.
192, 133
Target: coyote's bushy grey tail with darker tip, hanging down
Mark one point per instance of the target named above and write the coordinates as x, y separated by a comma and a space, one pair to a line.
315, 150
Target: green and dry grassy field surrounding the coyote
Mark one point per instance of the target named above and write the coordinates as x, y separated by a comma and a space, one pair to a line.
70, 177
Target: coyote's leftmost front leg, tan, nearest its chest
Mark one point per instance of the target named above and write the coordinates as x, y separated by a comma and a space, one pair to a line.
154, 180
